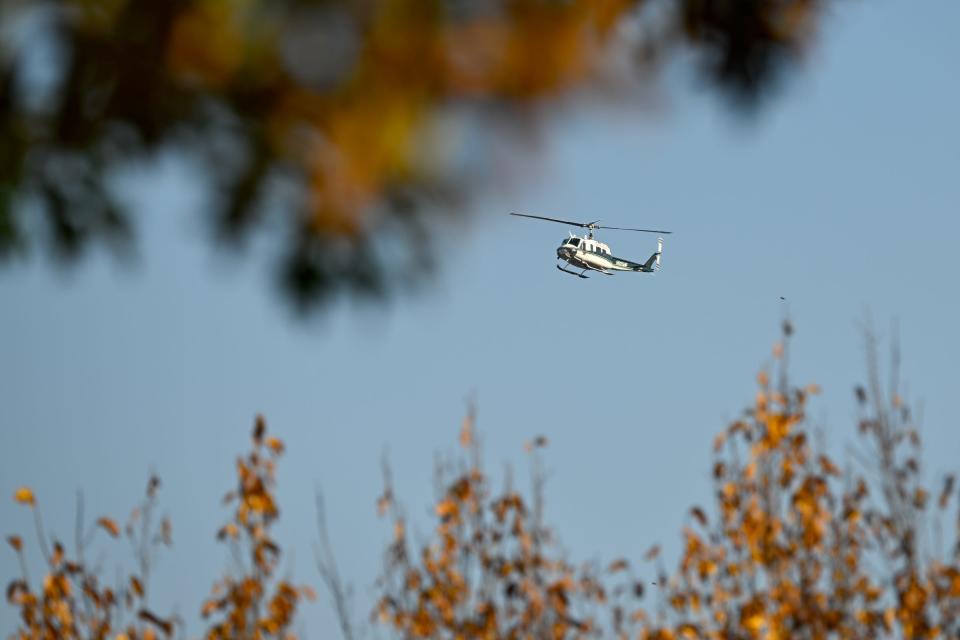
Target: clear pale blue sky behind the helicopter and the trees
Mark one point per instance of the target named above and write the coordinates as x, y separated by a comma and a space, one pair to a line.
843, 197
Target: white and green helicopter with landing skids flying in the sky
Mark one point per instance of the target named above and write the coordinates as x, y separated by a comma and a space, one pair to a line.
589, 254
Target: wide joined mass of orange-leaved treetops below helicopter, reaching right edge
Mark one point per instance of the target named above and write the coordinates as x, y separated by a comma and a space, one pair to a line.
796, 547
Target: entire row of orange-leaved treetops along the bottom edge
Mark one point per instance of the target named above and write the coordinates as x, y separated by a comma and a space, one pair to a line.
795, 546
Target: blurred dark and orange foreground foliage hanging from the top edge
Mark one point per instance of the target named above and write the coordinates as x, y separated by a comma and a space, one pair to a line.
349, 125
